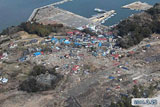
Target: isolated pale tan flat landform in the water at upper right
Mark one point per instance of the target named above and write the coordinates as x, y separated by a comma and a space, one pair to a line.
138, 6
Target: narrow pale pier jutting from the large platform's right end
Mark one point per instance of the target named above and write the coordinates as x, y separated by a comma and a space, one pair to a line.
101, 17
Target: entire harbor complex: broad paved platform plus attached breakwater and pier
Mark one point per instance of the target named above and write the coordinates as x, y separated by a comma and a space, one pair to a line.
50, 15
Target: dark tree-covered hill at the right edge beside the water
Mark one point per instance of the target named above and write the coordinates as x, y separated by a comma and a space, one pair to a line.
139, 26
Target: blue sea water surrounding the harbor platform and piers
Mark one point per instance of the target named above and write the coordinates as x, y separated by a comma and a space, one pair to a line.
13, 12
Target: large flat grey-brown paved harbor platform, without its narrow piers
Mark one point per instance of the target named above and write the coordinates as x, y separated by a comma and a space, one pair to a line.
51, 15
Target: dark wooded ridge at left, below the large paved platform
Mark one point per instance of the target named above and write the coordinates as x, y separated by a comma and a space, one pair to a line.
36, 28
